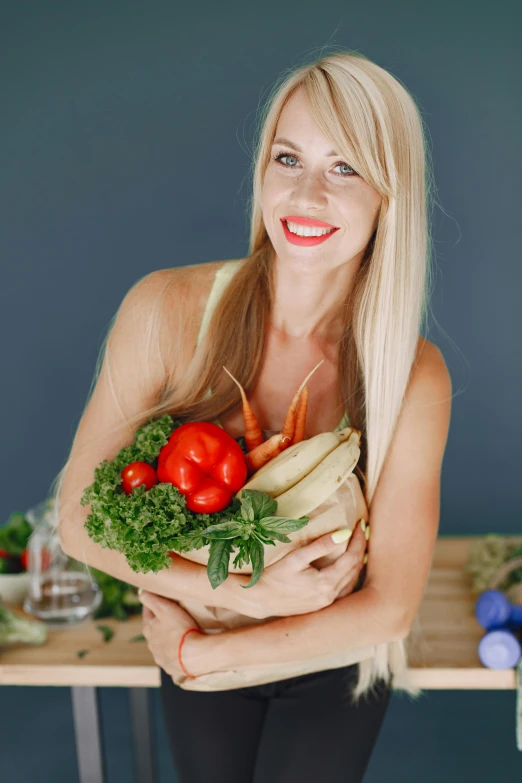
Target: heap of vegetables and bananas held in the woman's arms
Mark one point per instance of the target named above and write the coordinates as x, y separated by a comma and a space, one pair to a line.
180, 487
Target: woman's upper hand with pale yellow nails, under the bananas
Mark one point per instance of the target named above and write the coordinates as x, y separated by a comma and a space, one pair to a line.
293, 586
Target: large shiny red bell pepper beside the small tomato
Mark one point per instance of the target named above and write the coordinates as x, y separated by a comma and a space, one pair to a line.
205, 463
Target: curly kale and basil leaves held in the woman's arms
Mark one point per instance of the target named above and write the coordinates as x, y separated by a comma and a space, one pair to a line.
148, 524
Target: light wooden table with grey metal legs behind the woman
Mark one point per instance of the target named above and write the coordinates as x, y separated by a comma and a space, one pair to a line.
445, 658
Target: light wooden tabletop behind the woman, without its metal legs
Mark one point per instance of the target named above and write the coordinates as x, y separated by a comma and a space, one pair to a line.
444, 656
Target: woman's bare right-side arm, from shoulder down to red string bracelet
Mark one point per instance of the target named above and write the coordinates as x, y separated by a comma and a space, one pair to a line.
404, 519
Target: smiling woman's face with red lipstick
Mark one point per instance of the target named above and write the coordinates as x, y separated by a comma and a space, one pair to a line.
314, 183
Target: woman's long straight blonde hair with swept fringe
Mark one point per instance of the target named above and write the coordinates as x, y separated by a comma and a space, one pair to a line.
374, 123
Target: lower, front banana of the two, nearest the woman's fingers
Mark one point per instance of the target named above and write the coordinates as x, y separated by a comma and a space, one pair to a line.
321, 482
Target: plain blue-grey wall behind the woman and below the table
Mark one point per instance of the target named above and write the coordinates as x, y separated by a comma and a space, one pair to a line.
124, 145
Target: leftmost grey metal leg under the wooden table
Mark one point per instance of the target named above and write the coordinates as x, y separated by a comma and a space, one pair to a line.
89, 750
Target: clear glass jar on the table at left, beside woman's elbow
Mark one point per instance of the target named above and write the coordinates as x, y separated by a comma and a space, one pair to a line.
61, 590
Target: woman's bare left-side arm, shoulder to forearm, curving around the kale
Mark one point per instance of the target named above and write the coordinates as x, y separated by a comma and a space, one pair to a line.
131, 381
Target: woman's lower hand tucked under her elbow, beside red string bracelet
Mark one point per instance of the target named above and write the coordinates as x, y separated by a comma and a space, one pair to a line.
164, 623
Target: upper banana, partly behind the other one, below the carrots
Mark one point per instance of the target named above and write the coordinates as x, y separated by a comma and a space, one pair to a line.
295, 462
